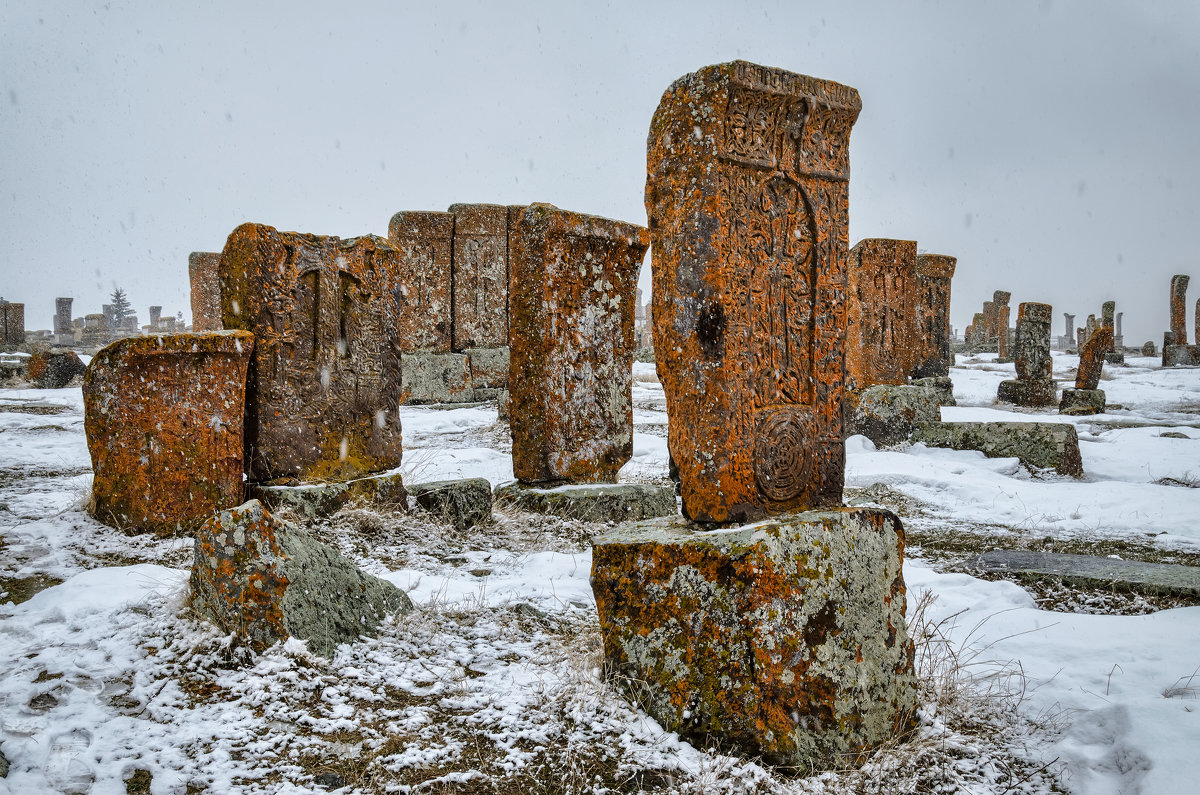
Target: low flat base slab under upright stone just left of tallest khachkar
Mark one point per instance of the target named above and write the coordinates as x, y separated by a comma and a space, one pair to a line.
608, 503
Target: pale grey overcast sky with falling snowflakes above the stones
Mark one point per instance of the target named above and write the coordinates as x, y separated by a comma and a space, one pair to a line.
1054, 148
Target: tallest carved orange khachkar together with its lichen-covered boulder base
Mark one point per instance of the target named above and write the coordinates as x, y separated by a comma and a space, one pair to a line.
800, 653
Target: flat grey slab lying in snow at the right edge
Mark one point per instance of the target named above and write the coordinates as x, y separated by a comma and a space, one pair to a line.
1126, 576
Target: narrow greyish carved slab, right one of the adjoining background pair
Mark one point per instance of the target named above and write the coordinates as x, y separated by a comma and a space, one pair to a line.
481, 280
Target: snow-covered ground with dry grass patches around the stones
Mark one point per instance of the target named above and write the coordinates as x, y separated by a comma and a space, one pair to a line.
495, 683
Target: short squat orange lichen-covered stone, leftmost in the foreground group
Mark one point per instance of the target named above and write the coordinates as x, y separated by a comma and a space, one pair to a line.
164, 417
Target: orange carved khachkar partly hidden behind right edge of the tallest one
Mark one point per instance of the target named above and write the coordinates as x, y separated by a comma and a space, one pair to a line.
883, 344
